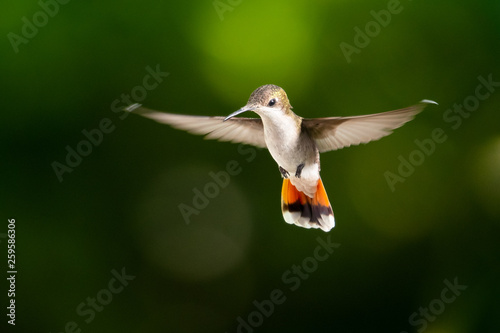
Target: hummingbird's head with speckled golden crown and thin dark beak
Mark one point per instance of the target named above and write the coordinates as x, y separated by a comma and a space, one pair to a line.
268, 100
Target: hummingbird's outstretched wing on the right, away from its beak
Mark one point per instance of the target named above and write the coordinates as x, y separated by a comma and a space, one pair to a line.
338, 132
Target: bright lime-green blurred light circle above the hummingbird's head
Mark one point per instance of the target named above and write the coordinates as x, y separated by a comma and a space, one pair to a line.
254, 44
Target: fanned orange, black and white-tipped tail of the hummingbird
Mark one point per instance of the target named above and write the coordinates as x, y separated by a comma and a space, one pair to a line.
304, 211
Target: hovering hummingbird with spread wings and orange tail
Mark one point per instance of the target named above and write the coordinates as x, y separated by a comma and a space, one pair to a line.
295, 143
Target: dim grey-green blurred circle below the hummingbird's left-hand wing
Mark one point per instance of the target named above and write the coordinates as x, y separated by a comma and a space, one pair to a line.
198, 246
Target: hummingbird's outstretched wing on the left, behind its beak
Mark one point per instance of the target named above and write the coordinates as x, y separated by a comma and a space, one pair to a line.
245, 130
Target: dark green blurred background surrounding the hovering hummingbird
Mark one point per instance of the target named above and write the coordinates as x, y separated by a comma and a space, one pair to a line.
119, 207
